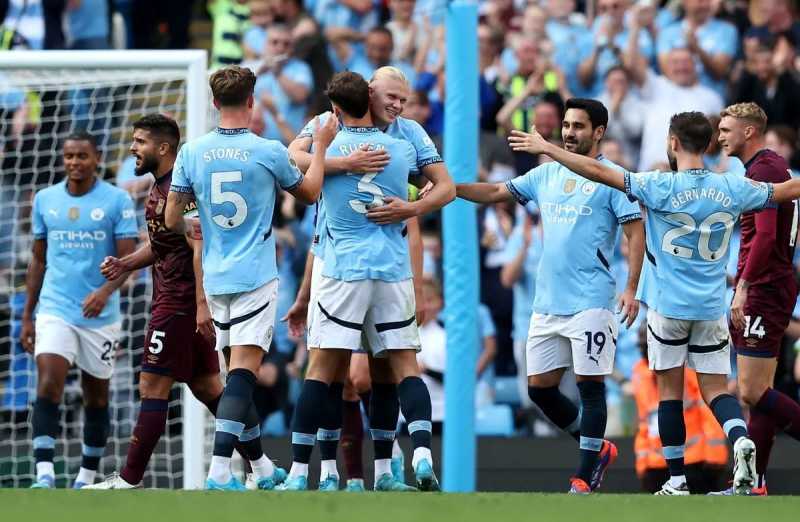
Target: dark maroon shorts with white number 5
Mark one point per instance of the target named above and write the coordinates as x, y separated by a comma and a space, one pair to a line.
173, 347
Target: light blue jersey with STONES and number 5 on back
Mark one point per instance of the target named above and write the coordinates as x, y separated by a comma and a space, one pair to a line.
234, 176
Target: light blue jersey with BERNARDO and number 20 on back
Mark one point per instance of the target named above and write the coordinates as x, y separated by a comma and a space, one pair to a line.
691, 216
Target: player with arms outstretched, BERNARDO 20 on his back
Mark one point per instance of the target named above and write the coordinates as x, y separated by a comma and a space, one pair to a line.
683, 282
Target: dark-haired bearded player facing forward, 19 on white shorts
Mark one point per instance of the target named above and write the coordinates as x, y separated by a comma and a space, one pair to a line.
572, 322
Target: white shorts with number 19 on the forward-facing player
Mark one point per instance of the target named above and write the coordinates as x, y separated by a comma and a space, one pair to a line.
586, 341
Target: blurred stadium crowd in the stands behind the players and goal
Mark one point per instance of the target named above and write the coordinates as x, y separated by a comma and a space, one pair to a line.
645, 60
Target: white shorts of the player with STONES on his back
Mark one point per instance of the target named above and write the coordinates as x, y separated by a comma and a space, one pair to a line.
246, 318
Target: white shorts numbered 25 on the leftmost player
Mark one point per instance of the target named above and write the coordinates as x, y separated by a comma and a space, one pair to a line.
91, 349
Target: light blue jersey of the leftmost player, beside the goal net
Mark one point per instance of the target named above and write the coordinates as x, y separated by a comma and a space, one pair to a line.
80, 232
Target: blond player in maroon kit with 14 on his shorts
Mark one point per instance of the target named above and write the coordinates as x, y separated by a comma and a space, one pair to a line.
766, 290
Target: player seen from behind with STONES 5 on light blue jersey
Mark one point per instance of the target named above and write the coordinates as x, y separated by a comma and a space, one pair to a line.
235, 196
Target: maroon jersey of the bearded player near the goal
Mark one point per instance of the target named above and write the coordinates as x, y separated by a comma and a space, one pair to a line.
173, 271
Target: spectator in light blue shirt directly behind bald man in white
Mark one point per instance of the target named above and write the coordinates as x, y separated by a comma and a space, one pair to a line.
713, 43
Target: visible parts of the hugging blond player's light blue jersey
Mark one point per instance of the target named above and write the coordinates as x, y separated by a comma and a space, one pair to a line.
402, 129
